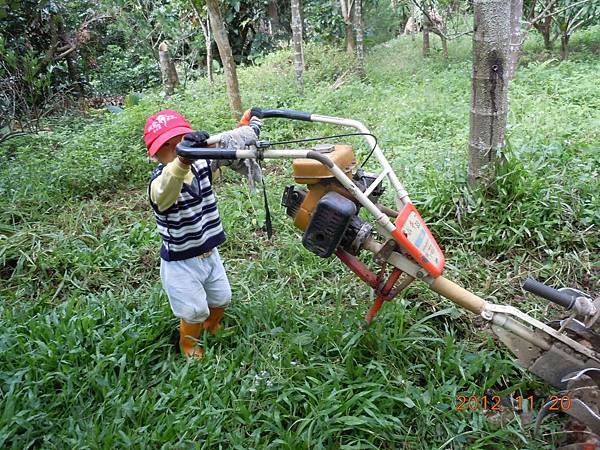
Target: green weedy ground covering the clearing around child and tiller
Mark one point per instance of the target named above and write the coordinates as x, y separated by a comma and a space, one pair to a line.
86, 350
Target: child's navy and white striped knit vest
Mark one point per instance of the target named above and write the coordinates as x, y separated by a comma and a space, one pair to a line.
190, 226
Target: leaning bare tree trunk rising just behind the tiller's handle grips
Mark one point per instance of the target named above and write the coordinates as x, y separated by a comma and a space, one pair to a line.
222, 40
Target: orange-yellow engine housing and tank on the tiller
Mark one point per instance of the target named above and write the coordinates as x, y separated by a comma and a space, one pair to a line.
320, 180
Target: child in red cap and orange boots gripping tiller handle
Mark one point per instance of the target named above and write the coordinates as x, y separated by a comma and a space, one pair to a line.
188, 221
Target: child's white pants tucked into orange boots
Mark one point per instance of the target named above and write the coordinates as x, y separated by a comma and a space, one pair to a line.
193, 285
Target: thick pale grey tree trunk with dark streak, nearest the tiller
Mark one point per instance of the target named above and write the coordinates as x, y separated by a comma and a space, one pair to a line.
489, 102
